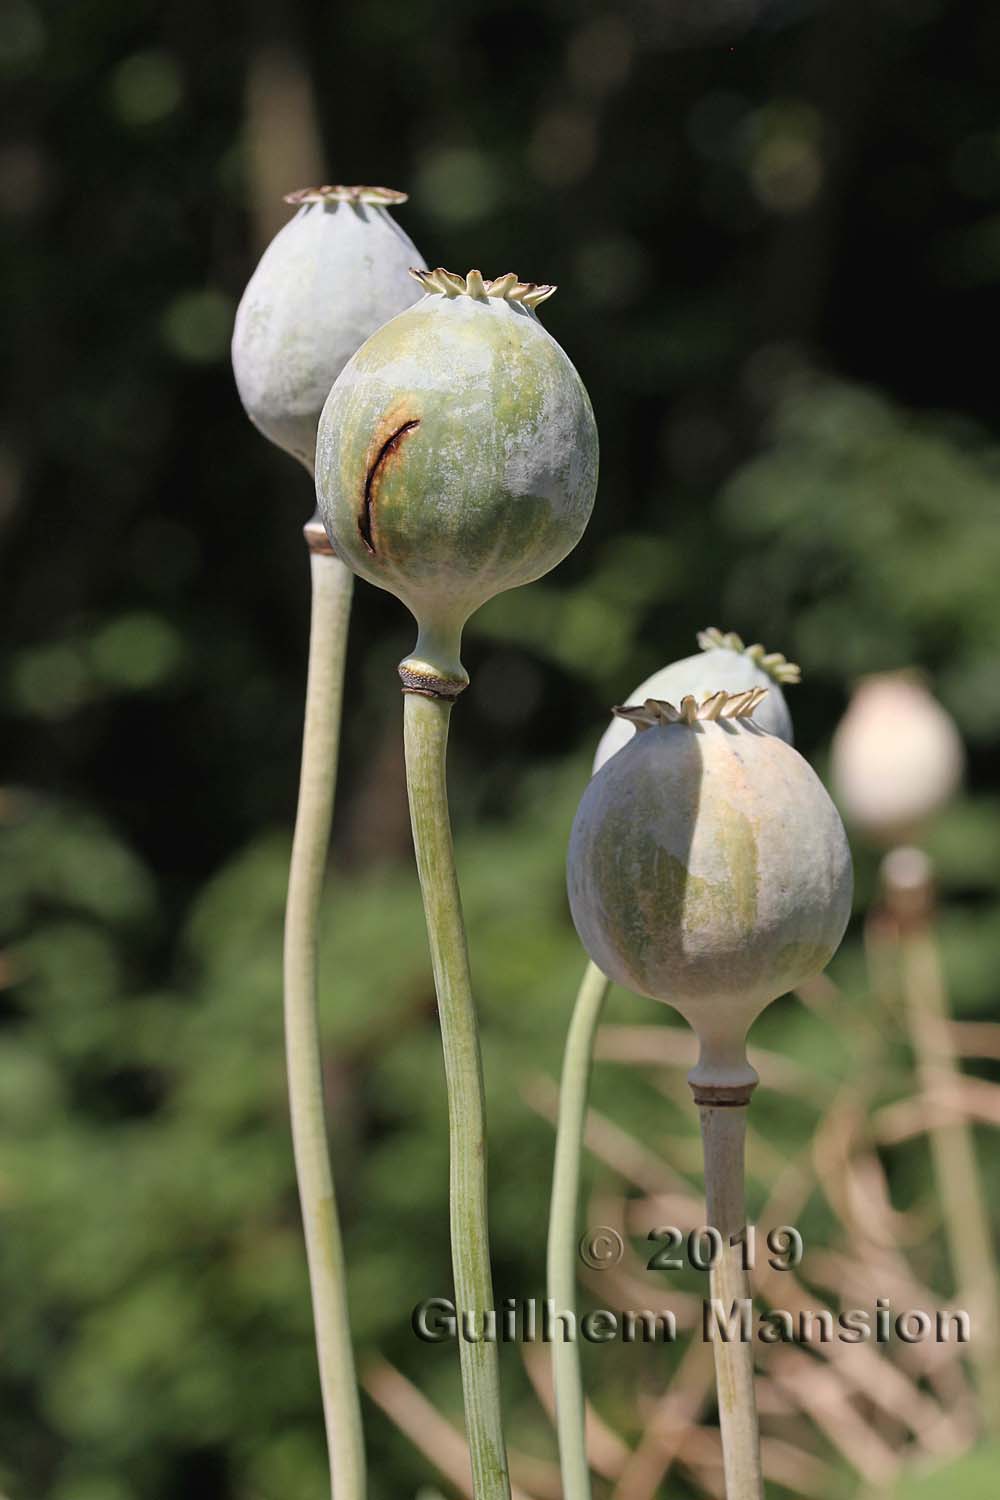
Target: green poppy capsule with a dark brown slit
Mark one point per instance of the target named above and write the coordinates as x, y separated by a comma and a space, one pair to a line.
457, 460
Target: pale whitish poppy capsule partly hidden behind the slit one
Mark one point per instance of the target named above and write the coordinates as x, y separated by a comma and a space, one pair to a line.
331, 278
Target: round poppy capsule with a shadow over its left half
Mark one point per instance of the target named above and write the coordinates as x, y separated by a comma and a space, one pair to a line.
710, 869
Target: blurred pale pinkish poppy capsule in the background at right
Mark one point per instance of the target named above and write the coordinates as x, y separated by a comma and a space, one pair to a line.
897, 757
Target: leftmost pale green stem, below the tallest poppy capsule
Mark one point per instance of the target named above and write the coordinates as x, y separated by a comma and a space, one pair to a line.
332, 586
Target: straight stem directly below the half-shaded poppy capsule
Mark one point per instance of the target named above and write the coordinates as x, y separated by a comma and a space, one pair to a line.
723, 1139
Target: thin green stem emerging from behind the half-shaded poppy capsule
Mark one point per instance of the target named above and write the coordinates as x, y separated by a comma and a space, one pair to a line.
563, 1226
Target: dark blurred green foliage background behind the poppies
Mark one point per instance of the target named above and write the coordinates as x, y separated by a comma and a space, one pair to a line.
776, 229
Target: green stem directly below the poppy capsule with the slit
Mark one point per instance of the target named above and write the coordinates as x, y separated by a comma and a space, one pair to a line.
427, 739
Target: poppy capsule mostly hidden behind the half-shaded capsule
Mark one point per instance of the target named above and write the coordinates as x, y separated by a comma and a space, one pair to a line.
725, 664
